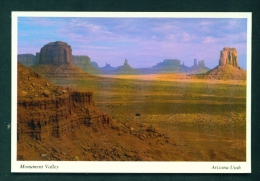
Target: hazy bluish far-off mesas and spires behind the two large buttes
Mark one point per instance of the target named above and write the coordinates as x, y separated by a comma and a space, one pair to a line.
85, 63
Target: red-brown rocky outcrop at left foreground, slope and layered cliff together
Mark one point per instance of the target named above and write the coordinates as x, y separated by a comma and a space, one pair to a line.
46, 110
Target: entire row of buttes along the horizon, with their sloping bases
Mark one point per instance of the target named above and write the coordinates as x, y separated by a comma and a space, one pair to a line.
55, 59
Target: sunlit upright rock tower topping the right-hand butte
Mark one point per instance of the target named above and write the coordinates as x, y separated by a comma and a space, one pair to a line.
228, 56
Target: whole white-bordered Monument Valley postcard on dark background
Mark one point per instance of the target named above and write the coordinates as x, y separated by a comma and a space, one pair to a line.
131, 92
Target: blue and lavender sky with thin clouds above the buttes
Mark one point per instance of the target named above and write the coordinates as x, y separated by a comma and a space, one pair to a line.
144, 42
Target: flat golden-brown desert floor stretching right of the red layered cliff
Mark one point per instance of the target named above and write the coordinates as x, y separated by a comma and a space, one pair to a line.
195, 119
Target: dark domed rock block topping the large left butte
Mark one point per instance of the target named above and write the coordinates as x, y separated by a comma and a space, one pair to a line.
56, 53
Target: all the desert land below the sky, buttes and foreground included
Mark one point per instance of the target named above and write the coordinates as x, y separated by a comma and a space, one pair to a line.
66, 113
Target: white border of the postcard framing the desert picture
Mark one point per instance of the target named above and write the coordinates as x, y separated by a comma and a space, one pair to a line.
129, 166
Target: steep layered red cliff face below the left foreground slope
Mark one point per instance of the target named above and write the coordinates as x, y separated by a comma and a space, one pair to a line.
57, 117
